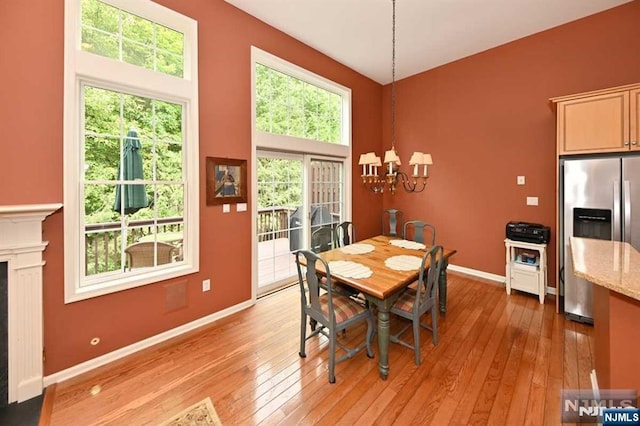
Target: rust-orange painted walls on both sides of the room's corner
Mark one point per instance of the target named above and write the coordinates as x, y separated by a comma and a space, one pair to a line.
485, 119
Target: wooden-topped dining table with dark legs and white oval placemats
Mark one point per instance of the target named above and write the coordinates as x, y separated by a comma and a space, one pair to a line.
386, 282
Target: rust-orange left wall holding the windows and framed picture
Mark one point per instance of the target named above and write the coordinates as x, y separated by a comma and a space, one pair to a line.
31, 164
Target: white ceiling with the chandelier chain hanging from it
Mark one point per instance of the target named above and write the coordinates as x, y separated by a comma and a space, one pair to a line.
429, 33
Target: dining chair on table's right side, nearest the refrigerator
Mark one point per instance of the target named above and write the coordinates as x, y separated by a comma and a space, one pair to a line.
415, 302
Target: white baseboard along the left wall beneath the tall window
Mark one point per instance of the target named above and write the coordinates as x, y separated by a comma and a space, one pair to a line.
143, 344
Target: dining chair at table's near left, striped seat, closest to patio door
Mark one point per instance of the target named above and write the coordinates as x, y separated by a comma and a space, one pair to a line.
333, 312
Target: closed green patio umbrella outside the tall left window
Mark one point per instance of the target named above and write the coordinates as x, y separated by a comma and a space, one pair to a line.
135, 196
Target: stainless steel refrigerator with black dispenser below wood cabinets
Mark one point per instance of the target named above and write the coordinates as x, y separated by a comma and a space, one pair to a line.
600, 198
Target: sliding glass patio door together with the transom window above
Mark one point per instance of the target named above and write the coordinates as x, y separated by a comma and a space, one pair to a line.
301, 137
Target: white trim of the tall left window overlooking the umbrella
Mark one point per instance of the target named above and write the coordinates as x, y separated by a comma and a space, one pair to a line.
83, 67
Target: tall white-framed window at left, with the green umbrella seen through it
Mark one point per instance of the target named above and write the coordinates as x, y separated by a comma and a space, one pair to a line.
131, 146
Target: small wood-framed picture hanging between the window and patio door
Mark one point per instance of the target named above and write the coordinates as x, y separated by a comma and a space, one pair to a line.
226, 181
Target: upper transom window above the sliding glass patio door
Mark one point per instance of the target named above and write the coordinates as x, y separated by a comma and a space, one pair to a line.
291, 102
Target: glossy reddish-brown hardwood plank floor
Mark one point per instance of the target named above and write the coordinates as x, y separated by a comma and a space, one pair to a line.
500, 360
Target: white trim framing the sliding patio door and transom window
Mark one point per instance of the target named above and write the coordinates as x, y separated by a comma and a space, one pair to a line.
321, 150
